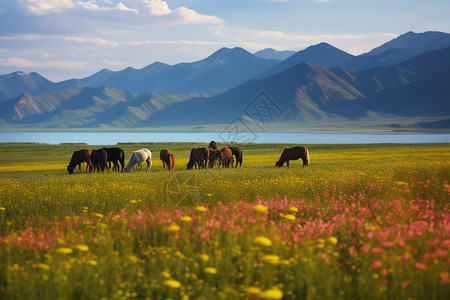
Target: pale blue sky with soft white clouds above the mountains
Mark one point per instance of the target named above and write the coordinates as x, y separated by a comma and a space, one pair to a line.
64, 39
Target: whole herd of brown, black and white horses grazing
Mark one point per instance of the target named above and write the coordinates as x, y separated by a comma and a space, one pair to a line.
200, 158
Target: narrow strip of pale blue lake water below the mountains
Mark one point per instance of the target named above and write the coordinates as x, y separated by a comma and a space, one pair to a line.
316, 137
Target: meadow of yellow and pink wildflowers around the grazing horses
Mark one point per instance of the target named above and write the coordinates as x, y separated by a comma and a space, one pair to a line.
361, 222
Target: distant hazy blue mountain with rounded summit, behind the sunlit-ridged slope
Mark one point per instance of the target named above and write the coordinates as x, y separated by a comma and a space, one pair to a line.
220, 71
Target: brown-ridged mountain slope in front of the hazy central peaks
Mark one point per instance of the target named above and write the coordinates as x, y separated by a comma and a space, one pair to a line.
299, 92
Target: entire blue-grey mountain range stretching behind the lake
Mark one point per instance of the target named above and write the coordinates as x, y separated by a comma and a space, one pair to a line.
405, 82
